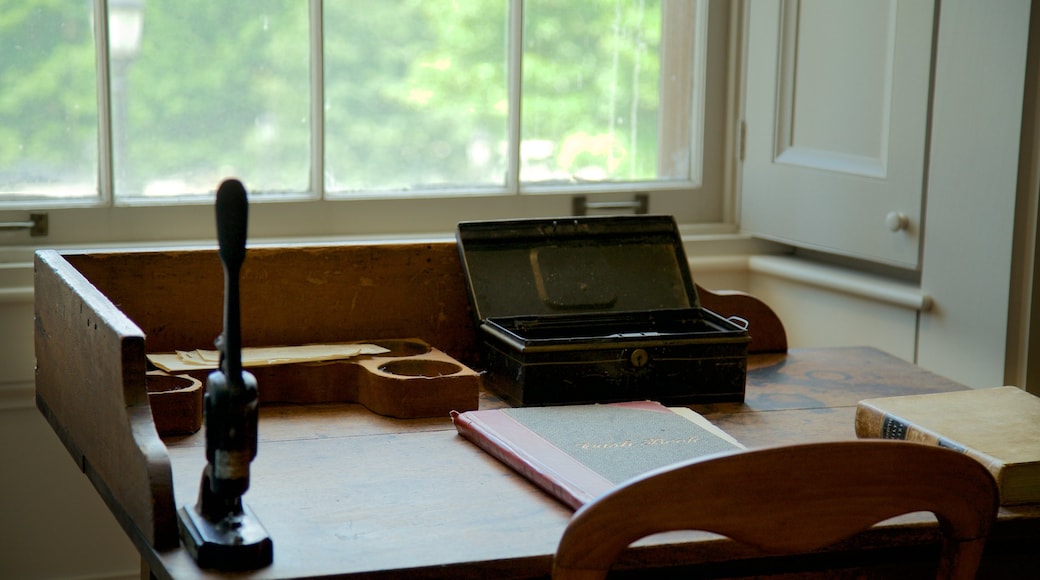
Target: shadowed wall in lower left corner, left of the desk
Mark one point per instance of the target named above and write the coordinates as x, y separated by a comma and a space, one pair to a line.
55, 525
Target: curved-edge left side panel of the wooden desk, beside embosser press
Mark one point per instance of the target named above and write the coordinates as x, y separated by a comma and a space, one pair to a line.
91, 387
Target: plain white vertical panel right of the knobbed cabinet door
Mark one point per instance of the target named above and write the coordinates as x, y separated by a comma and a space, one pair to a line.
972, 189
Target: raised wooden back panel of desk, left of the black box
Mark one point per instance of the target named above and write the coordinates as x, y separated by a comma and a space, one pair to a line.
295, 295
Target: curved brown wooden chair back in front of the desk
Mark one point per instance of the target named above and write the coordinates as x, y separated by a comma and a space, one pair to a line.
791, 499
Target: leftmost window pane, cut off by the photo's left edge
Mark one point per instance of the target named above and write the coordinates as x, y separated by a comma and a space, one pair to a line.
48, 101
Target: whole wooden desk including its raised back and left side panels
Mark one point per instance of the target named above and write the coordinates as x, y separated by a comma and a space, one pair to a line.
347, 493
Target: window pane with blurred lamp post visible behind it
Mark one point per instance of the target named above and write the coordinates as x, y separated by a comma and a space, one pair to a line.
213, 90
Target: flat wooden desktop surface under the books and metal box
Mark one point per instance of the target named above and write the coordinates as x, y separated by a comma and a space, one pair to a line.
348, 493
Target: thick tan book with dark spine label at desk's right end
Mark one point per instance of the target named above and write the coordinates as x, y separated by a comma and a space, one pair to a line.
999, 427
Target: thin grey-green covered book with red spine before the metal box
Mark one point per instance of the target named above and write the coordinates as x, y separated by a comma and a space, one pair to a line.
579, 453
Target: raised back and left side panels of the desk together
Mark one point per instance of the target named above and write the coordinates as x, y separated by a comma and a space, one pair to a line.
98, 314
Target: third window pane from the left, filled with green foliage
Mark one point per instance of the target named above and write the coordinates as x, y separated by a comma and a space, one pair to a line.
415, 95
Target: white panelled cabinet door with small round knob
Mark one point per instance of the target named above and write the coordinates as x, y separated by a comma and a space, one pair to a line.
837, 120
